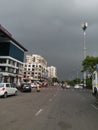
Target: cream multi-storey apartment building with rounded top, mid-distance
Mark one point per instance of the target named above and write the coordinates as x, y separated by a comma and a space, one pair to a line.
35, 68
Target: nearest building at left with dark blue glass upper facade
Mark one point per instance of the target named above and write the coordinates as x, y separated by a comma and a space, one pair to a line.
11, 58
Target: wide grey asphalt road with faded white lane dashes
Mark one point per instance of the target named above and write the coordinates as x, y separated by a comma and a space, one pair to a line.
50, 109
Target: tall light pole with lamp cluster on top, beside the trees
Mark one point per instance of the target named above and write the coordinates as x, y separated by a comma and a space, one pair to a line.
84, 27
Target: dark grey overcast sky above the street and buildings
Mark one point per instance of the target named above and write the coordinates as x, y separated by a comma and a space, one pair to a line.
52, 28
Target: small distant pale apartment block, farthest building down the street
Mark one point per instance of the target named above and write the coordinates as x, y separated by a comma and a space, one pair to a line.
52, 72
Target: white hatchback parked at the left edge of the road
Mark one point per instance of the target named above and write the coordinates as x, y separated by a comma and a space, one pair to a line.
7, 89
